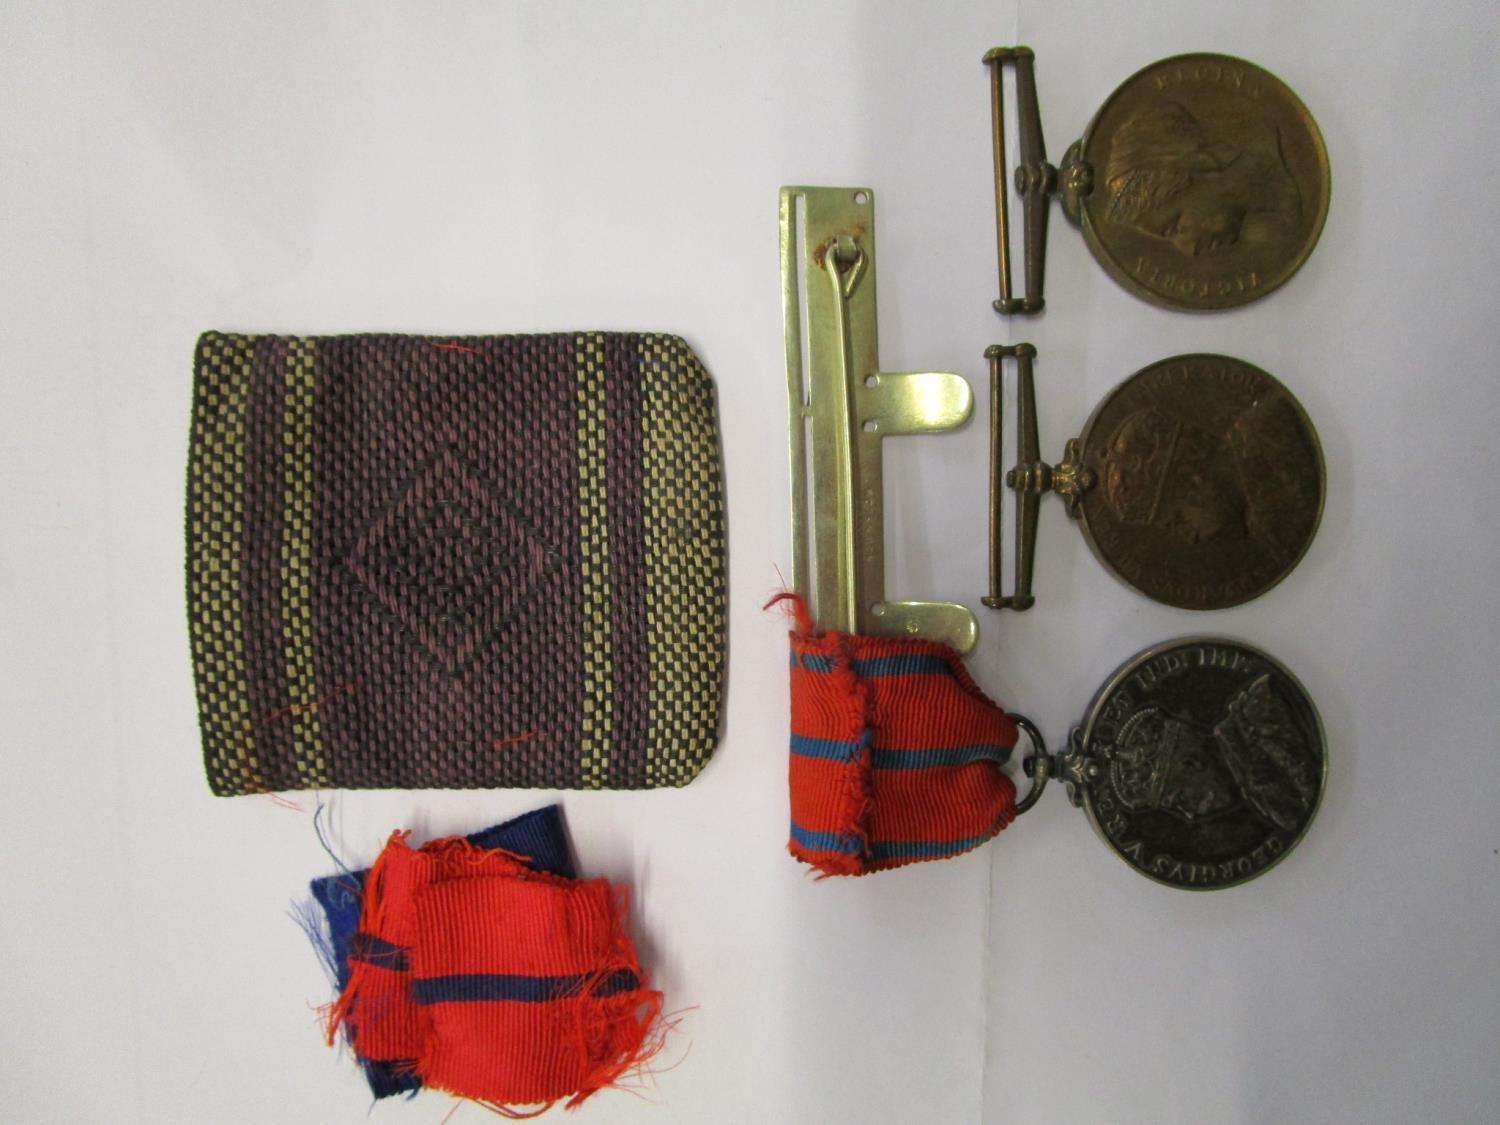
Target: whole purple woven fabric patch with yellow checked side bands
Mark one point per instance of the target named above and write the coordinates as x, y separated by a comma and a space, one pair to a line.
488, 562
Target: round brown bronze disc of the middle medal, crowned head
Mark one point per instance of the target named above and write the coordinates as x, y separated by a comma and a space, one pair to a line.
1207, 482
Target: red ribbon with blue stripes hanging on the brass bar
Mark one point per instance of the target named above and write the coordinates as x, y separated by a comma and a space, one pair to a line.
896, 754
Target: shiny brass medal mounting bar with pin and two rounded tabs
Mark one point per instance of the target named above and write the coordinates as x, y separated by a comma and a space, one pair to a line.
841, 409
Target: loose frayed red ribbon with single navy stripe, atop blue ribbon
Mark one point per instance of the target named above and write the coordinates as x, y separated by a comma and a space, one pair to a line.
499, 982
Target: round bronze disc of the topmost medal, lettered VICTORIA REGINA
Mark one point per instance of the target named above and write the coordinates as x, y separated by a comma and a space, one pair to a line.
1208, 182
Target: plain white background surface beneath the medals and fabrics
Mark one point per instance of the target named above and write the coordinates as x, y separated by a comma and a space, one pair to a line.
494, 167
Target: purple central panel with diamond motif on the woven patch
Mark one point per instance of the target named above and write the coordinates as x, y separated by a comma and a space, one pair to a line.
445, 475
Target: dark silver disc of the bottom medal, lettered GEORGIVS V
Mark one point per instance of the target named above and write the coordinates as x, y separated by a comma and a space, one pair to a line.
1201, 763
